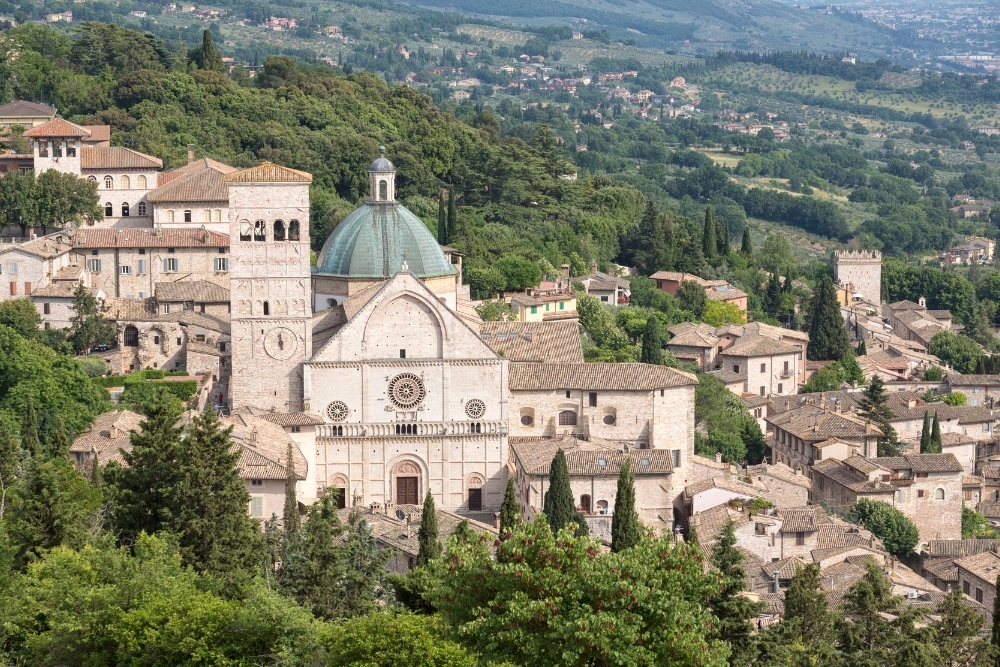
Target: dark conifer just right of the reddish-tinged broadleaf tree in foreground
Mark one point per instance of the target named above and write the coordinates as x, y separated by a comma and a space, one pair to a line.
734, 611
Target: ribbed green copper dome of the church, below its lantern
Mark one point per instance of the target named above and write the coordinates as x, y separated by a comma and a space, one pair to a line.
374, 241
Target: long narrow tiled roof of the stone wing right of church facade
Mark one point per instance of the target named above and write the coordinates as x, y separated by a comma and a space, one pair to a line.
596, 377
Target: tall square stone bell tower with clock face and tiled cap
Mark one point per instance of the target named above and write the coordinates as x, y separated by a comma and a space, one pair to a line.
269, 286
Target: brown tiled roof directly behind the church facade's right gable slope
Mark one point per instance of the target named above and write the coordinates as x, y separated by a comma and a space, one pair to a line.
540, 342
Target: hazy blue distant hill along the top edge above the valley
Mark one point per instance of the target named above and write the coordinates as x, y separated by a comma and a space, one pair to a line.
689, 27
